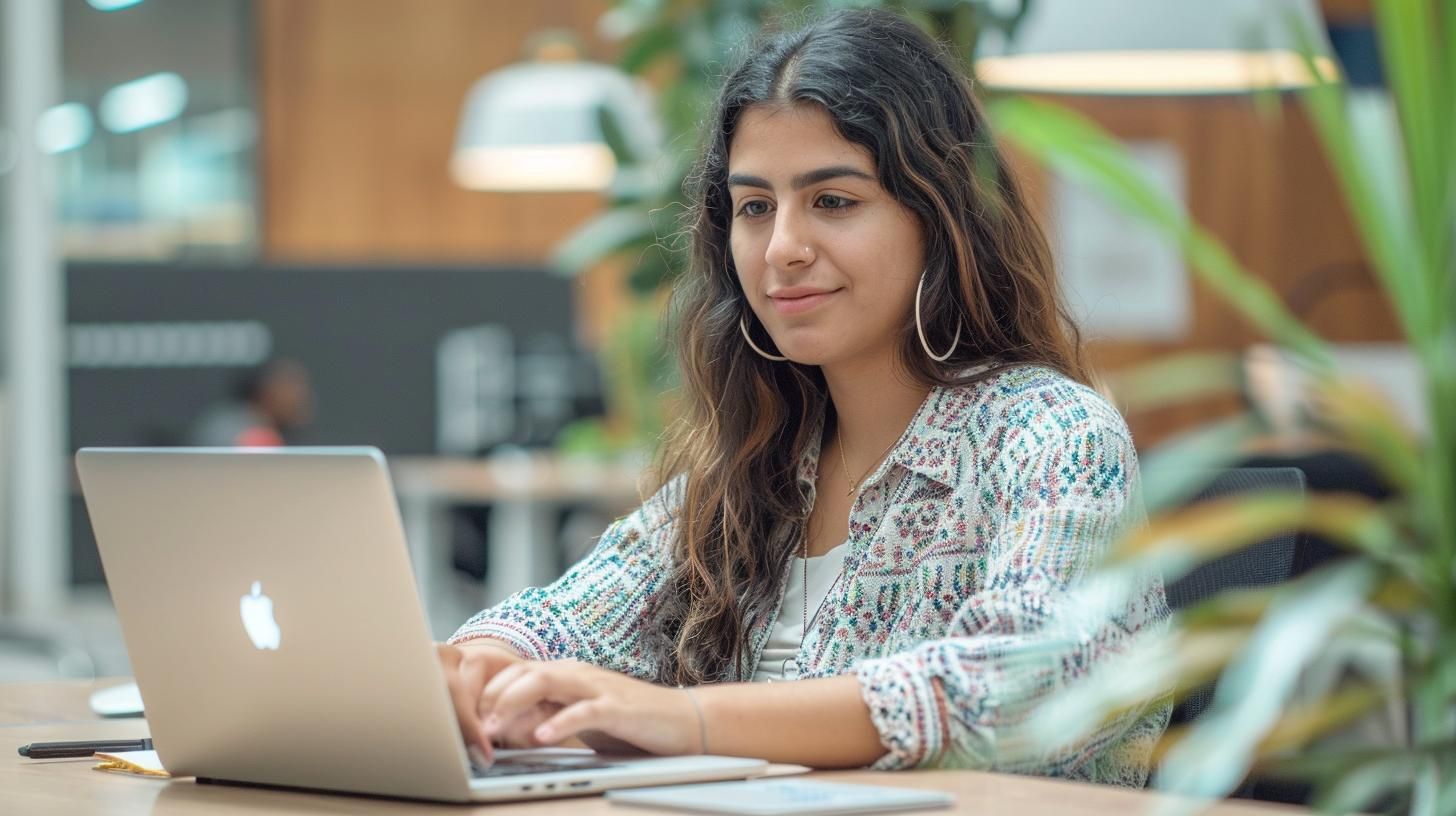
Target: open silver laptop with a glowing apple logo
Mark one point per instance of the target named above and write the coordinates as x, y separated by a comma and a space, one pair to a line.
276, 633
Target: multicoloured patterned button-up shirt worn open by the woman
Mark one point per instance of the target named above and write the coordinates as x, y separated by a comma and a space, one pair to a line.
954, 610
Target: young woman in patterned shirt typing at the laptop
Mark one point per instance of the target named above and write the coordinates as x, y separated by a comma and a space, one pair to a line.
890, 470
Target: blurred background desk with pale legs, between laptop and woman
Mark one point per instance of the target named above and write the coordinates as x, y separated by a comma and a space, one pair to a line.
526, 490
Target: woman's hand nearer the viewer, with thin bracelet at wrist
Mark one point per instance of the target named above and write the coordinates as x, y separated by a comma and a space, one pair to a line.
537, 705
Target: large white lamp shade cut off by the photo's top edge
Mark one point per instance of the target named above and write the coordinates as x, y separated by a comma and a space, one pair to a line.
1157, 47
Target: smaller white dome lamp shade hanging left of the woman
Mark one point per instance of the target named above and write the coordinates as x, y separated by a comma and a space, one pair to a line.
537, 127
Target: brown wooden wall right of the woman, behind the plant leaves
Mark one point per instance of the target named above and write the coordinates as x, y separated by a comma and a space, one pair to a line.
1263, 186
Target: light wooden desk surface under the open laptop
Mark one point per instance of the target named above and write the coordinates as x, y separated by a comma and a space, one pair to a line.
59, 712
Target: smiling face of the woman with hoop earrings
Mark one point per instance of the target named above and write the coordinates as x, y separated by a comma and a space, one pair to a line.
828, 260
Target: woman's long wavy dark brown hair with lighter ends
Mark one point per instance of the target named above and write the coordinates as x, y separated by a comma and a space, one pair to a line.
746, 420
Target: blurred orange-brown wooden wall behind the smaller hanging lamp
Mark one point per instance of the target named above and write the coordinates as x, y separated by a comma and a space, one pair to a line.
360, 101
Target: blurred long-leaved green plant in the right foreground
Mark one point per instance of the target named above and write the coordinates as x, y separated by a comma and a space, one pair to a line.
1396, 595
